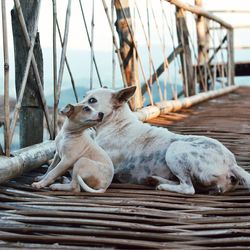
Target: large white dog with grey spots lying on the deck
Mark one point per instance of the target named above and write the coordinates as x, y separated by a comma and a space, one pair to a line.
143, 153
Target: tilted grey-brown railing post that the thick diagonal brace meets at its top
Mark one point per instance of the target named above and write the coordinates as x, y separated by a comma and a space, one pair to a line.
186, 58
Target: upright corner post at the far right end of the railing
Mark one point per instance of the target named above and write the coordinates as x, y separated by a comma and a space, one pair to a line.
230, 56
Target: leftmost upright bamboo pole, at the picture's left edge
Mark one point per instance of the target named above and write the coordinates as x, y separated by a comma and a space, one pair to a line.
6, 82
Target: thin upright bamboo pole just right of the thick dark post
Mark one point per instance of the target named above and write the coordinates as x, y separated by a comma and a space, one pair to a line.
54, 68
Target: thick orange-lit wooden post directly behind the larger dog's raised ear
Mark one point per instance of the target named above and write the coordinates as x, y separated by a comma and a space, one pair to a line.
130, 64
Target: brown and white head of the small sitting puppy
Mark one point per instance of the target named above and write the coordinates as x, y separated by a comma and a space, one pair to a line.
81, 114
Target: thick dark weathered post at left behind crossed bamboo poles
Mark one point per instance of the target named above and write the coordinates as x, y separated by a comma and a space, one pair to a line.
31, 115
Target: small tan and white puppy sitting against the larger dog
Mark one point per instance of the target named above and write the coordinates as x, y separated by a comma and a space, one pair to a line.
92, 168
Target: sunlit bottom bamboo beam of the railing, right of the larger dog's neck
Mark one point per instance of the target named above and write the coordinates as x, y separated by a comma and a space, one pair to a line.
164, 107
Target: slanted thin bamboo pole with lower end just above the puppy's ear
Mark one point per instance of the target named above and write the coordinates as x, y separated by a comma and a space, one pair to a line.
63, 53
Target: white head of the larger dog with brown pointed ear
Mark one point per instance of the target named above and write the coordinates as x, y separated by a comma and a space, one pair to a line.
107, 100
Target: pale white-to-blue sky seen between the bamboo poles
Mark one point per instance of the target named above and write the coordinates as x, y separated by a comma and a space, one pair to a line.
78, 47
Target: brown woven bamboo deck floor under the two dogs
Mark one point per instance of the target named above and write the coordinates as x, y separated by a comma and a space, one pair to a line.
137, 216
